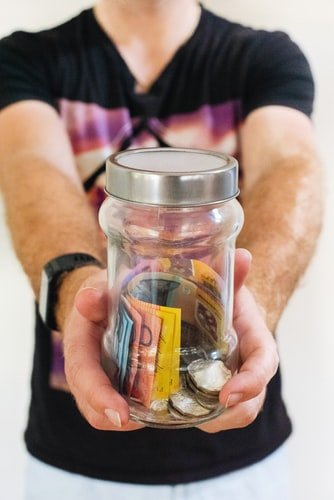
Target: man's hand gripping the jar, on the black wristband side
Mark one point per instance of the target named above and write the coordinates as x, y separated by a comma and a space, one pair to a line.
97, 400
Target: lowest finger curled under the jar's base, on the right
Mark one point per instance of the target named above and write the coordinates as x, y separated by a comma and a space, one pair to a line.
237, 417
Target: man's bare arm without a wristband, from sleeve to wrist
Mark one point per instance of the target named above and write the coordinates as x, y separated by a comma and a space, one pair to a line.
282, 196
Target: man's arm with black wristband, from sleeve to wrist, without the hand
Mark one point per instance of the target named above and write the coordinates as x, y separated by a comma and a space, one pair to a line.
47, 211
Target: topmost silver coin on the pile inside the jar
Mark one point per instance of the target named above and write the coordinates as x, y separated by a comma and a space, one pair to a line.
209, 375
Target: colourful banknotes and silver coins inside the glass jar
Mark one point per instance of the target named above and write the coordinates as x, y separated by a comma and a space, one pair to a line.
166, 326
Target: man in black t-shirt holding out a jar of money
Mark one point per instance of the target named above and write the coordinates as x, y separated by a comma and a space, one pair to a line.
148, 73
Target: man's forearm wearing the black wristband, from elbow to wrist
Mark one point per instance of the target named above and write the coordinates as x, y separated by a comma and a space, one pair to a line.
48, 215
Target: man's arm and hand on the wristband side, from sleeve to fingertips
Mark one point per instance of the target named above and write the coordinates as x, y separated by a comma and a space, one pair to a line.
48, 215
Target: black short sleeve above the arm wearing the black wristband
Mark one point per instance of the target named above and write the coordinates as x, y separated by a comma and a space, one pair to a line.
23, 70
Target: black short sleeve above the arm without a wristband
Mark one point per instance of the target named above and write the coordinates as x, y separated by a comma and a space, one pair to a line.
277, 74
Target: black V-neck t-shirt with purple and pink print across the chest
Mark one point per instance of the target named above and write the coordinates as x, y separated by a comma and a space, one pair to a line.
222, 73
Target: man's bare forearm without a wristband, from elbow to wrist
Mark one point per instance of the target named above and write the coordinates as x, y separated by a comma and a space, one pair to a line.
283, 213
